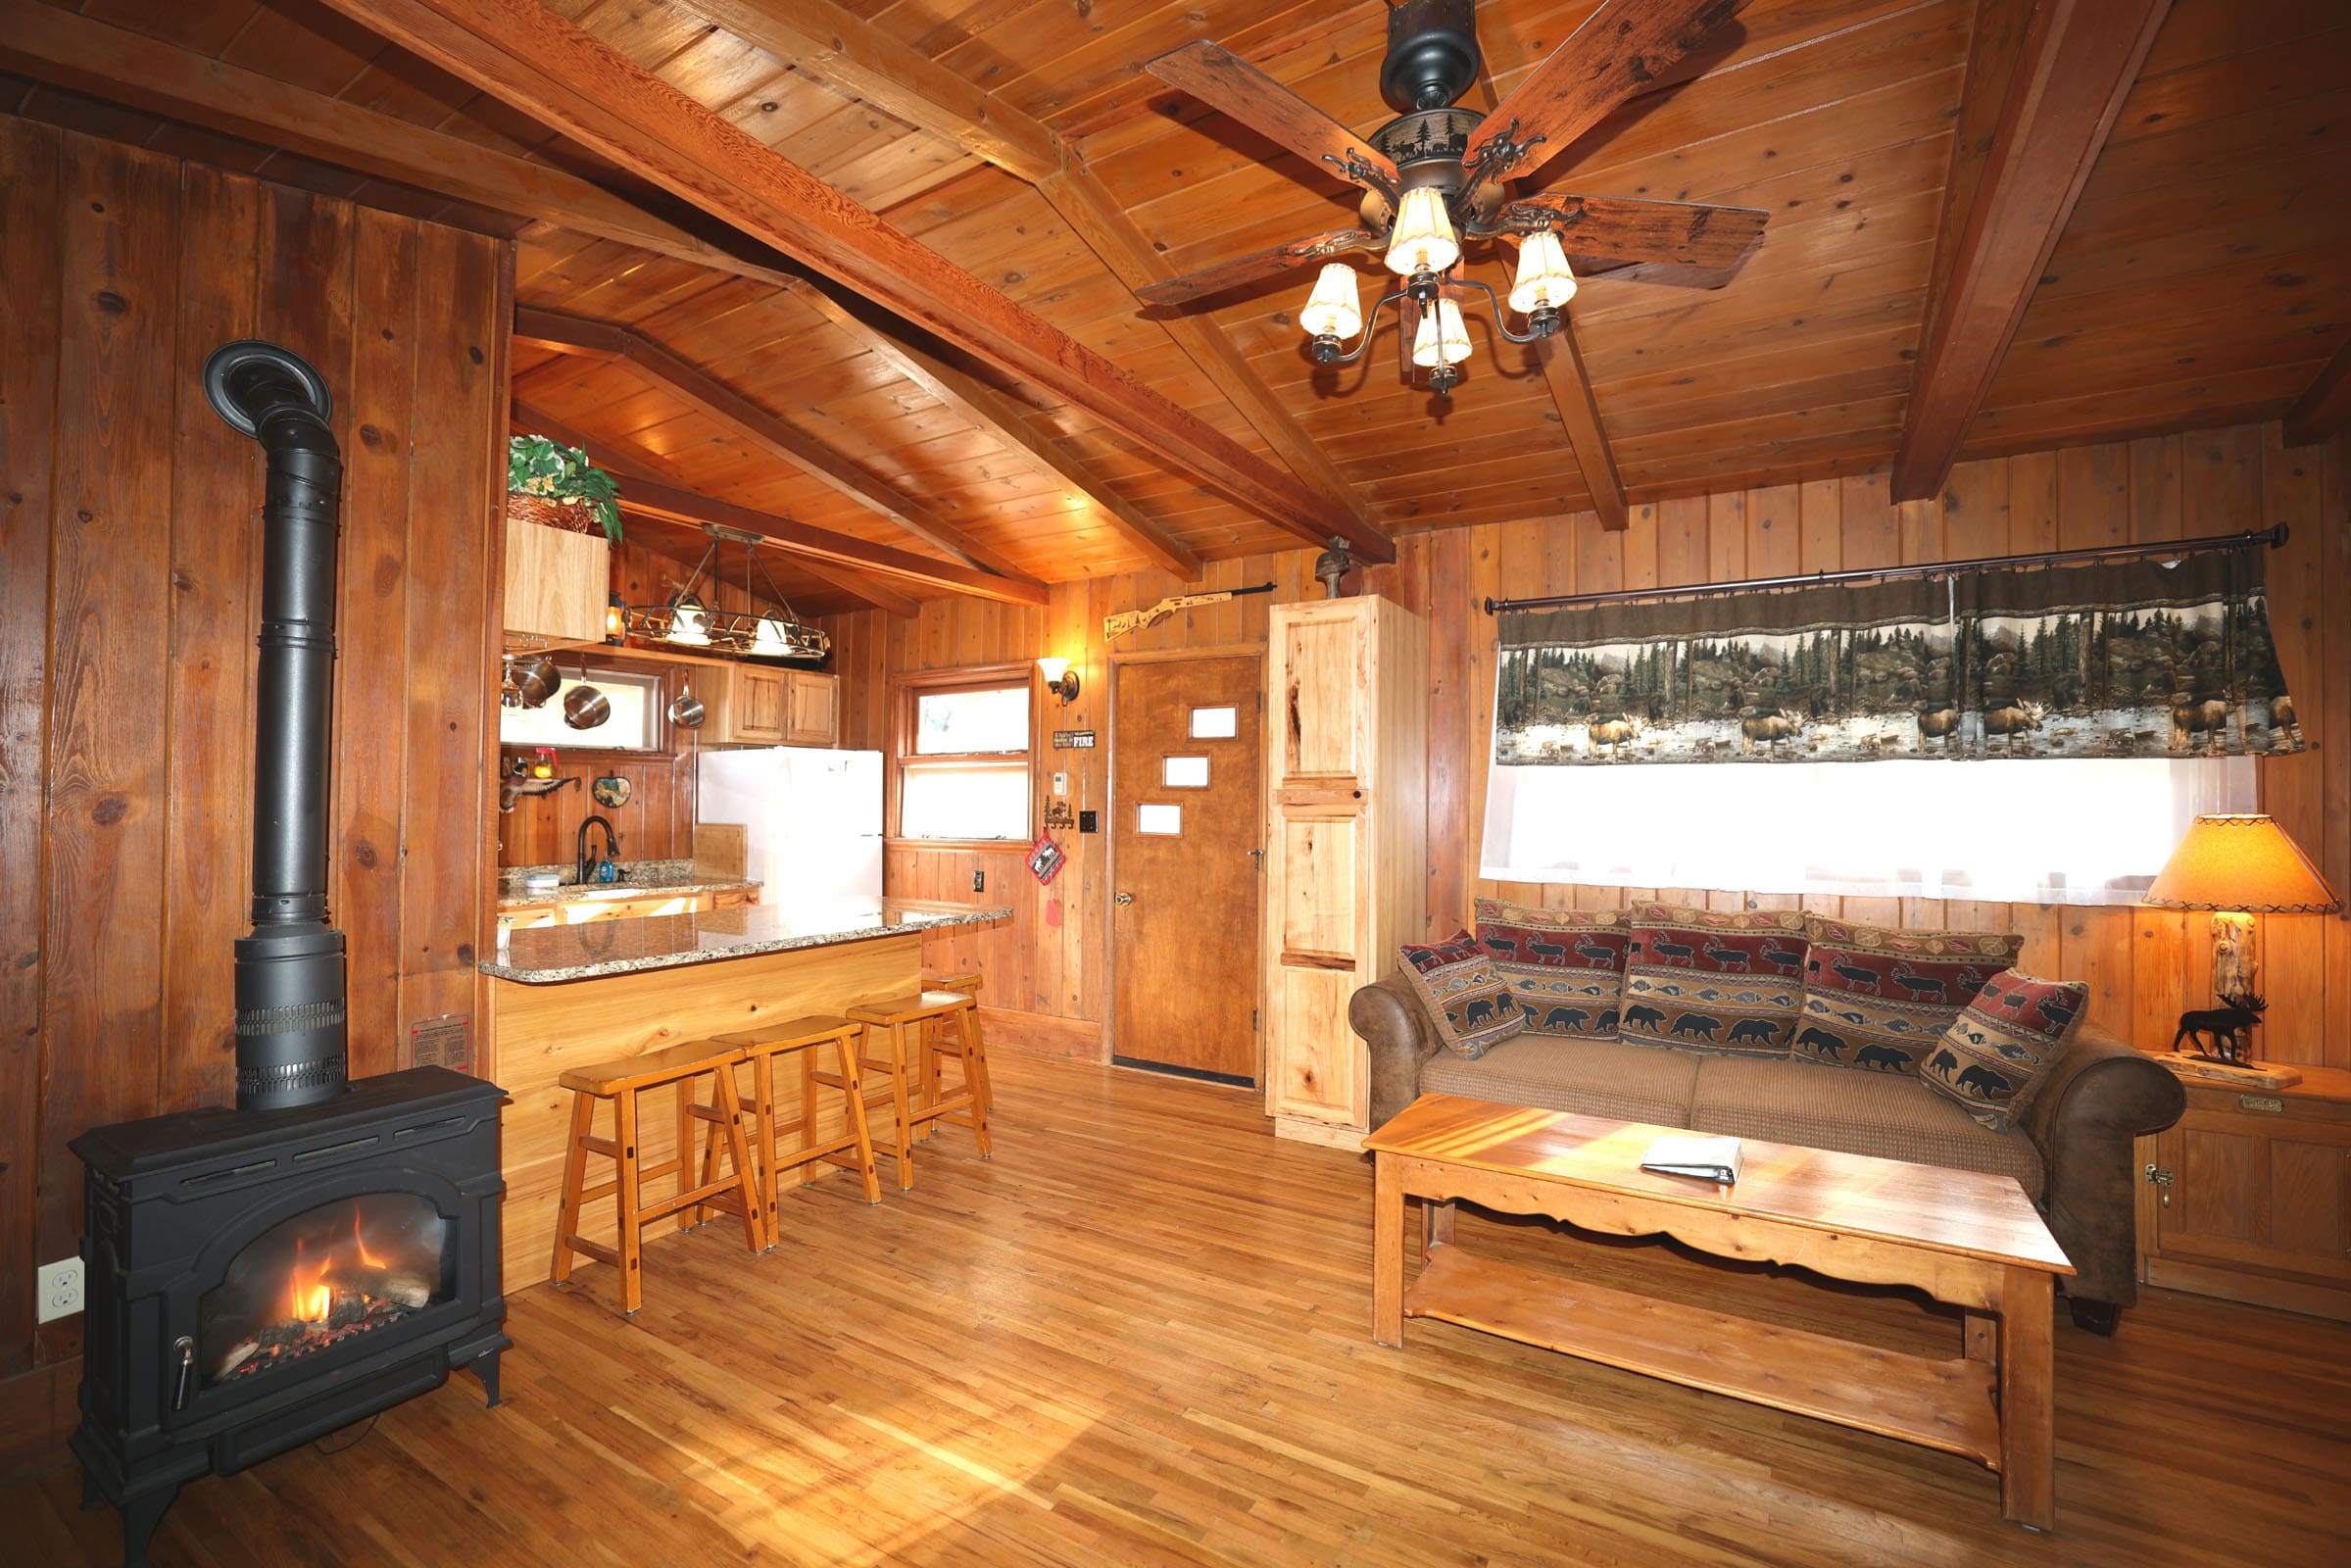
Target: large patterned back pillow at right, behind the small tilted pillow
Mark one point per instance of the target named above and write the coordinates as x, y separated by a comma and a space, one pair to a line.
1880, 1000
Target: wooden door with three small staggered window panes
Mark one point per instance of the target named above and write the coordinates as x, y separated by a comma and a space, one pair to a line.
1186, 829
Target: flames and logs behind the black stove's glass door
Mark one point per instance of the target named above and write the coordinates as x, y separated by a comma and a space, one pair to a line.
321, 1280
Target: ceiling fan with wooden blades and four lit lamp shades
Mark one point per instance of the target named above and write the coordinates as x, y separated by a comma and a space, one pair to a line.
1435, 177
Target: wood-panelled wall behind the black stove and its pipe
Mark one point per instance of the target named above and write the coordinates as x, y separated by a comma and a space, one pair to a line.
128, 617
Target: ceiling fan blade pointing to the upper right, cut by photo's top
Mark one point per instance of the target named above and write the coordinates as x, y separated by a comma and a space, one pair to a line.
1621, 48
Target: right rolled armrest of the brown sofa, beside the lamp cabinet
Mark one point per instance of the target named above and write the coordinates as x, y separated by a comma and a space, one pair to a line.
2101, 1097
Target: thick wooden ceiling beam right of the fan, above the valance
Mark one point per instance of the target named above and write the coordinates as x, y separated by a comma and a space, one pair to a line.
2061, 91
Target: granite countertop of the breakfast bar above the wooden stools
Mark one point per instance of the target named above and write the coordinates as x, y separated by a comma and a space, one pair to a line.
549, 956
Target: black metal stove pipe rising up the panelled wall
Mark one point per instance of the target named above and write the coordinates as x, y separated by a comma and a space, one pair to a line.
293, 1033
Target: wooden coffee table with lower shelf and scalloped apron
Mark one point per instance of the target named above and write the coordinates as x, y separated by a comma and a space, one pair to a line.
1962, 1238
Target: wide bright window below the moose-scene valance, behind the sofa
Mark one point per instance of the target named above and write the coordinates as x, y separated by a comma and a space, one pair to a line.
2042, 831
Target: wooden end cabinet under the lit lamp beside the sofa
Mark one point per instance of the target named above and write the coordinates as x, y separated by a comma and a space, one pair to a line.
2251, 1195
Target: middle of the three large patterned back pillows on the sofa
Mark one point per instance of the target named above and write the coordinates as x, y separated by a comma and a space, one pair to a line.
1713, 981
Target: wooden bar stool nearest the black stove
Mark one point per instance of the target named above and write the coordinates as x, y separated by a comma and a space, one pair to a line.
619, 1083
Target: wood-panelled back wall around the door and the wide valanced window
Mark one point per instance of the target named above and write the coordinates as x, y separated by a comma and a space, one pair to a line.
2143, 965
